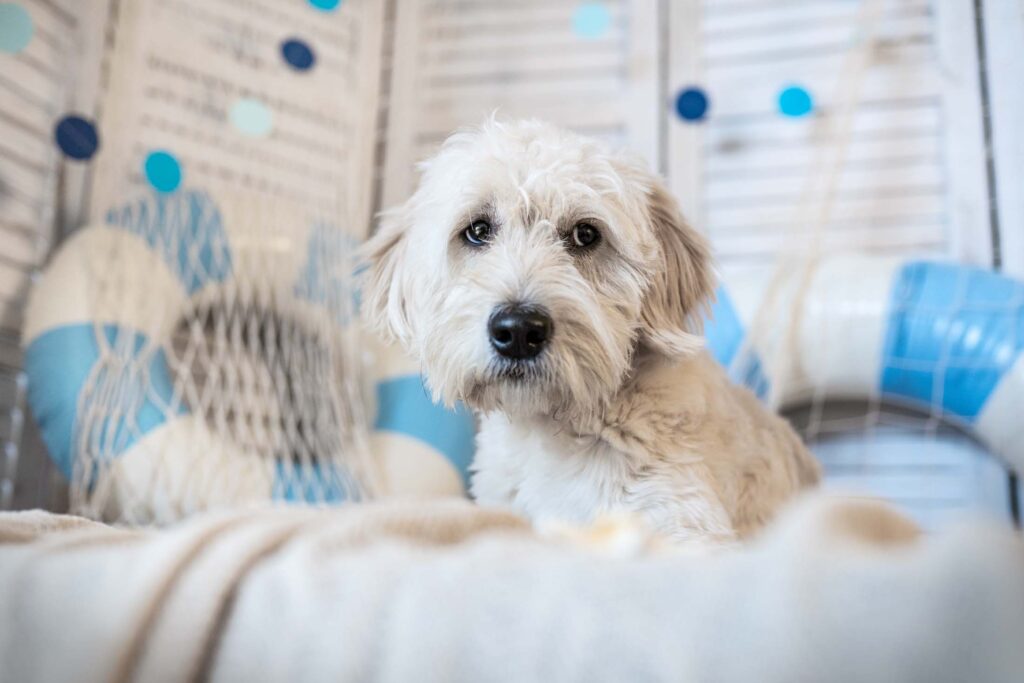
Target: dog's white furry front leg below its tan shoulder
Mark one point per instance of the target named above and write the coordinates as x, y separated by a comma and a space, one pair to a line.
682, 502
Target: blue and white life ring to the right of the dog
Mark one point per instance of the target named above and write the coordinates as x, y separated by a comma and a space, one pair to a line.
929, 334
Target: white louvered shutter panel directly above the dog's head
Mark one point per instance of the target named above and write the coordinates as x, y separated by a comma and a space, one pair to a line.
458, 61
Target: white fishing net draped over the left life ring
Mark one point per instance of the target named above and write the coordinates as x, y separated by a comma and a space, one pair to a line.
232, 372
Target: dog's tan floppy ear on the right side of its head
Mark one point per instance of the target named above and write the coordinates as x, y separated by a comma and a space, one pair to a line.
682, 288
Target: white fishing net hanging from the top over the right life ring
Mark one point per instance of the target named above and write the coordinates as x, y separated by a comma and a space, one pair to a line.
888, 368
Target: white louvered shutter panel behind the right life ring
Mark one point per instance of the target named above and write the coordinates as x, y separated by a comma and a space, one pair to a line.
913, 179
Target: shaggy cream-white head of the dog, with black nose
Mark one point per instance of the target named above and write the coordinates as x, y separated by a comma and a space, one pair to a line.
531, 267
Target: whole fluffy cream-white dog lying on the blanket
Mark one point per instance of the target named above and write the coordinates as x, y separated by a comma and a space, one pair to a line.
556, 288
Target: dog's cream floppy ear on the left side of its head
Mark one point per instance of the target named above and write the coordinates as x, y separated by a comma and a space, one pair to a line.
386, 302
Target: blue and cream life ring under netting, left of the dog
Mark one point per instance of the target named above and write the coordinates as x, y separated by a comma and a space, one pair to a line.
162, 254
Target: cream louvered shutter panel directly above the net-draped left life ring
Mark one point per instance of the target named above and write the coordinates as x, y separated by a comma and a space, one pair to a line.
165, 94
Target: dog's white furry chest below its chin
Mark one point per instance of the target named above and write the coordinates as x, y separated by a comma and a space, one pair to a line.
548, 474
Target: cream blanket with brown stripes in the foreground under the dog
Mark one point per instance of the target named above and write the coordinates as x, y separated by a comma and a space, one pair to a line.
837, 590
